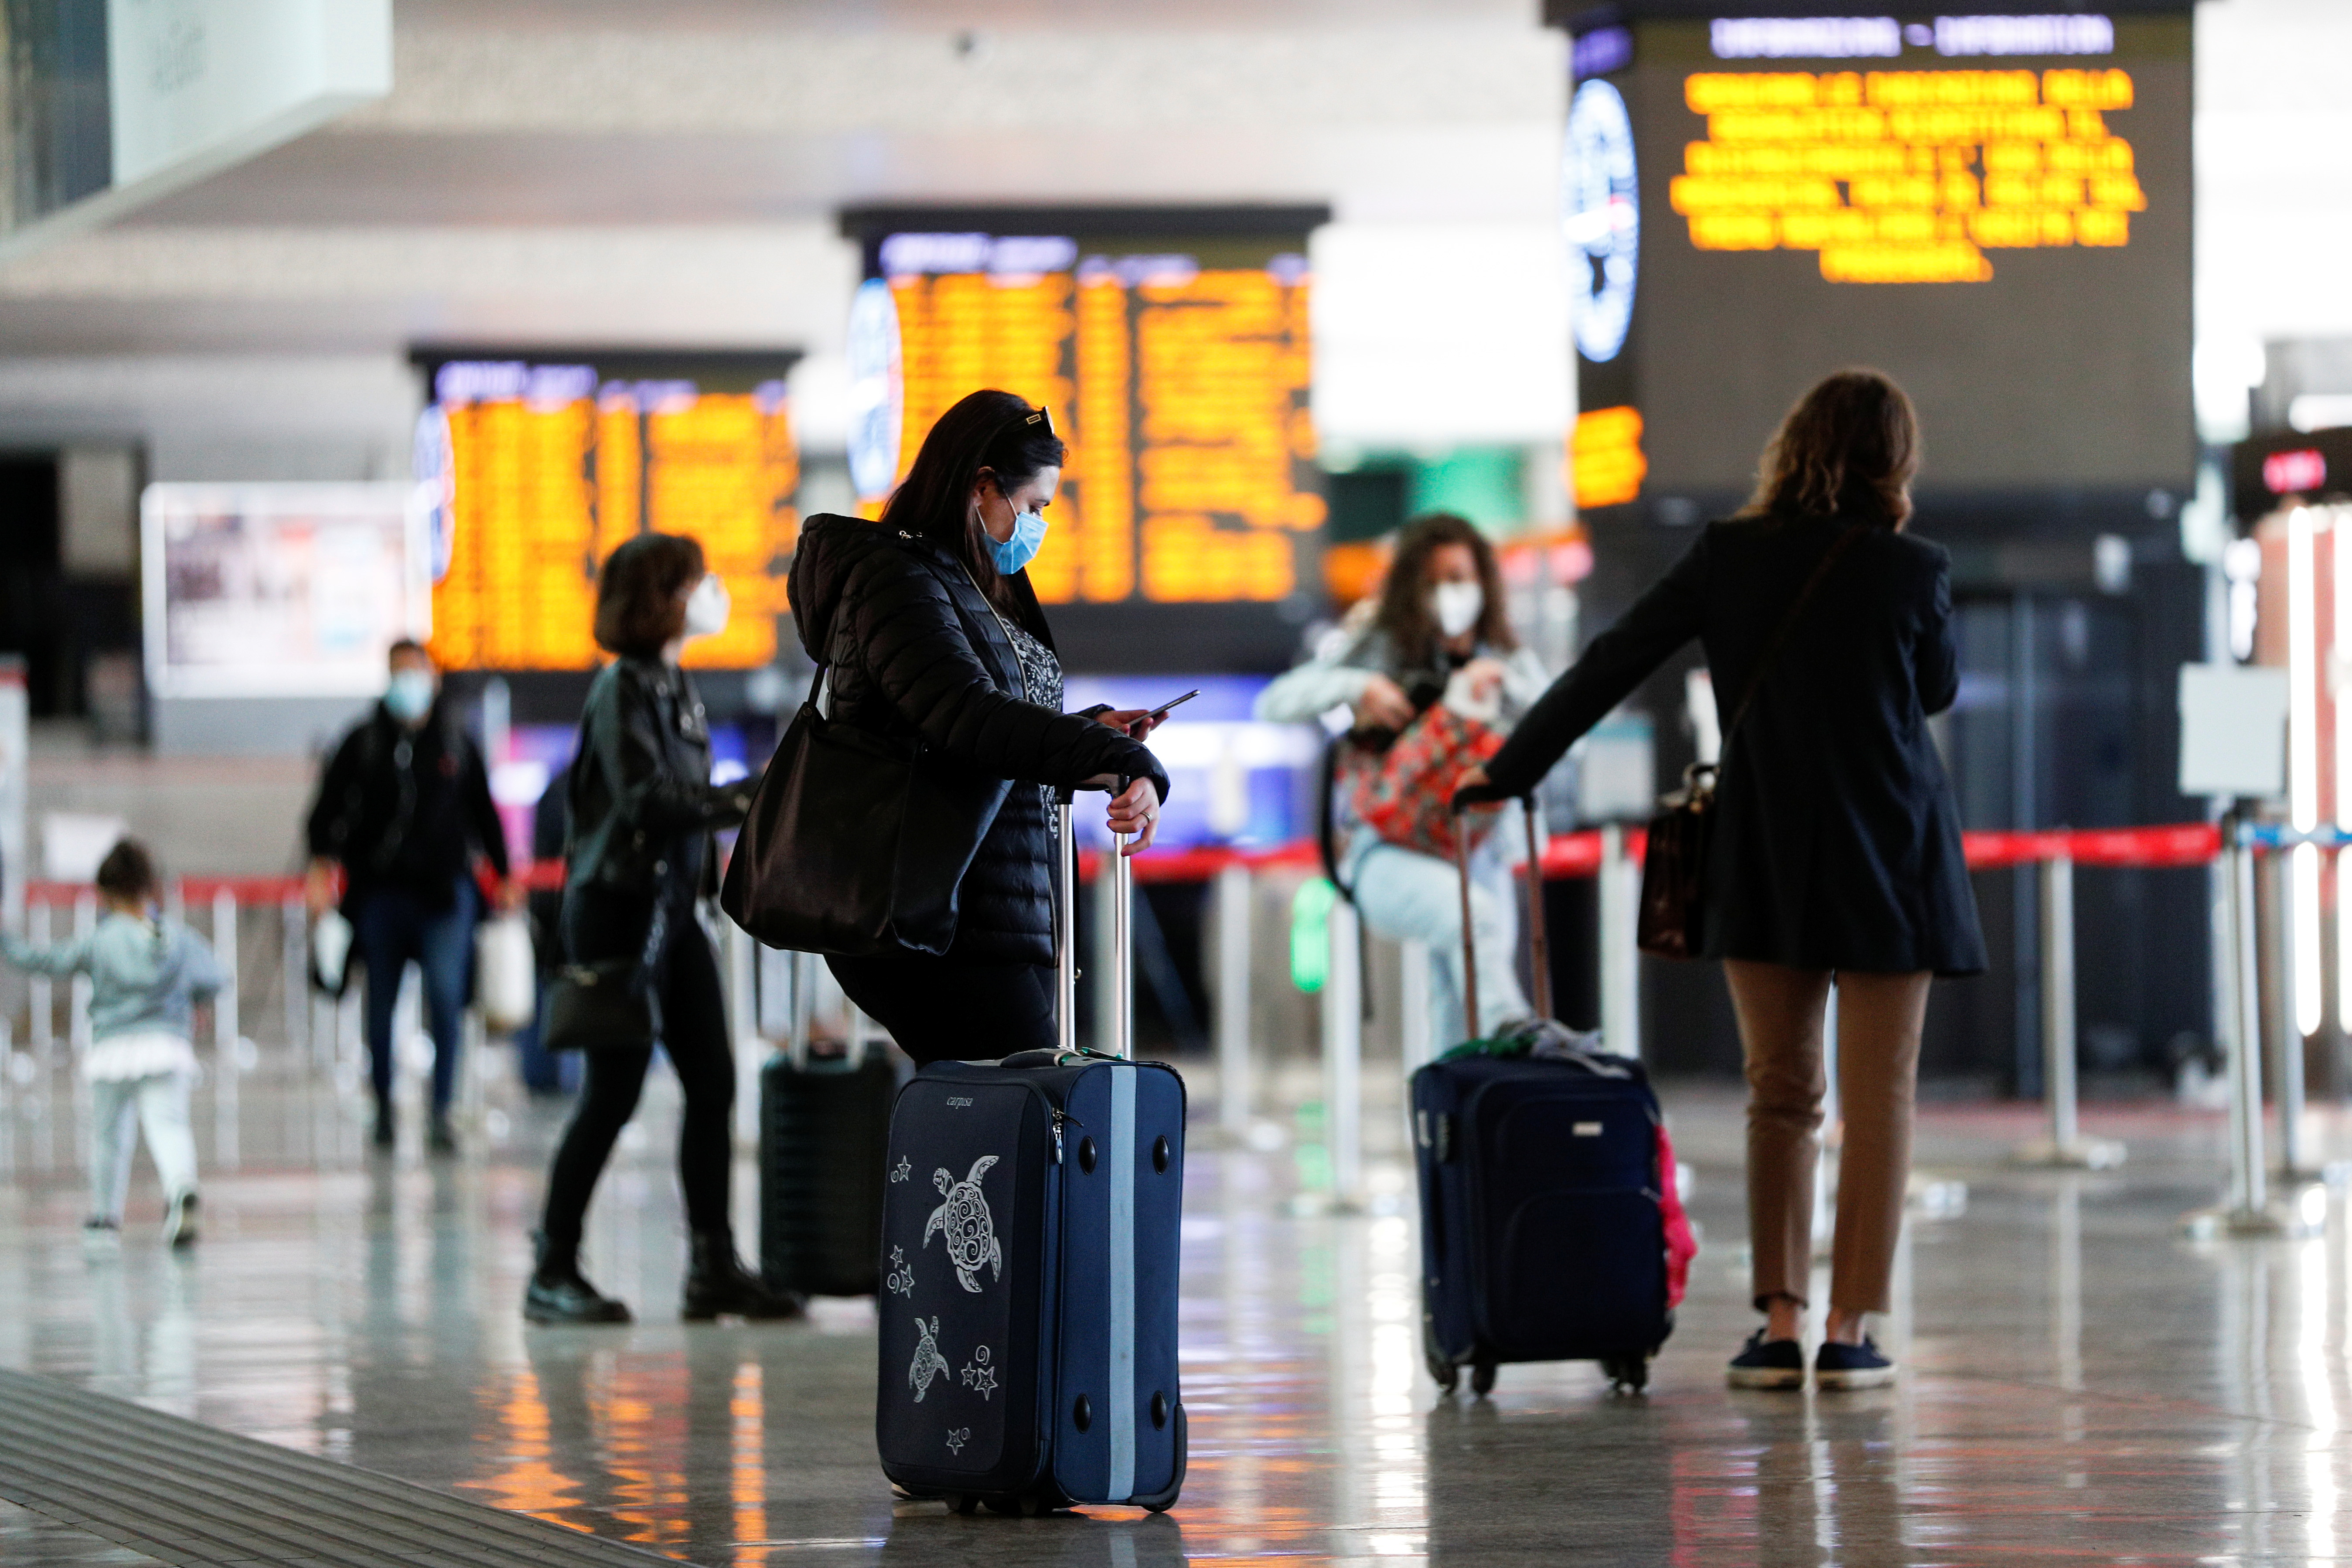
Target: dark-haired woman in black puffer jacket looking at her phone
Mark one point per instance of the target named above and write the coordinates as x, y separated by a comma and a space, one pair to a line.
930, 629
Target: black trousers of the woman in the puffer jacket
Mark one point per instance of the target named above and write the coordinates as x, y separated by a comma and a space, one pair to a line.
944, 1012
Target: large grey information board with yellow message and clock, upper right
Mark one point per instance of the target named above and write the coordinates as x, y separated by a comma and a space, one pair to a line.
1996, 210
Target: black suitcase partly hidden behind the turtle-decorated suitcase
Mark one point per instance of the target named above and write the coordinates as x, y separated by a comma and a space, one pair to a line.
824, 1130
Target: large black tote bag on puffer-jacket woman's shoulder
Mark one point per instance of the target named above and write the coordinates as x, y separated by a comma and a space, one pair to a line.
857, 843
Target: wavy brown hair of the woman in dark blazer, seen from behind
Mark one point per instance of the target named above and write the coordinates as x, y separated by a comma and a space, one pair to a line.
1850, 448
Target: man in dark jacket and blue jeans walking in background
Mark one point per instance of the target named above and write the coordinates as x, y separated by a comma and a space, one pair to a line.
406, 810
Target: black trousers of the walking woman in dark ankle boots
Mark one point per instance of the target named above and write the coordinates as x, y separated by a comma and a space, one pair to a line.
695, 1038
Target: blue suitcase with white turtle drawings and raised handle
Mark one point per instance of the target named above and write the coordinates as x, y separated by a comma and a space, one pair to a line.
1029, 1273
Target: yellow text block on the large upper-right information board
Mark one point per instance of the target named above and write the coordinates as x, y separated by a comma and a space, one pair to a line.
1909, 175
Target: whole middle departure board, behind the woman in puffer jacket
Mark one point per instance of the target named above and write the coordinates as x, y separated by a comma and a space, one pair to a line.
1172, 349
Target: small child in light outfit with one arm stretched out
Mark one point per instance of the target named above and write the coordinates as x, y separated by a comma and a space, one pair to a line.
145, 984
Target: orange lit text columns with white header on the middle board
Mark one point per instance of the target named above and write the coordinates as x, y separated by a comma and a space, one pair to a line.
1182, 391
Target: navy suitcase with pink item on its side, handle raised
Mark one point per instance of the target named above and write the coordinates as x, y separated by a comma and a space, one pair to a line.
1546, 1200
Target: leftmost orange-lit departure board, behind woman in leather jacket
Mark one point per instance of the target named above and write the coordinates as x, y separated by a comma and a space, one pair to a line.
544, 464
